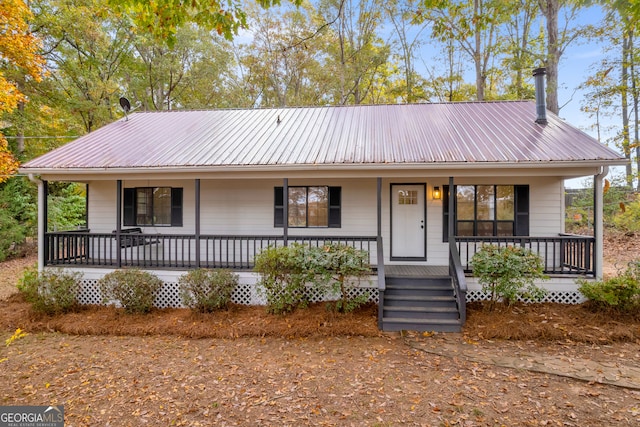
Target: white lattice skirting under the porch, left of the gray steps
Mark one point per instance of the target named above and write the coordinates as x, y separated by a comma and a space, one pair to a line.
244, 293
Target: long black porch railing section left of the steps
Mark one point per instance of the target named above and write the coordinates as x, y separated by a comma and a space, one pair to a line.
179, 251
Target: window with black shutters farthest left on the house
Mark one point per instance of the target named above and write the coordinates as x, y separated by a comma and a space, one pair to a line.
152, 206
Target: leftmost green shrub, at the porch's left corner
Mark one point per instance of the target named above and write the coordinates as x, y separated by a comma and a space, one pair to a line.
50, 291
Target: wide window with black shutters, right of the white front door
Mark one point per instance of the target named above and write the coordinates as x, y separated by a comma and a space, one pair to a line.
488, 210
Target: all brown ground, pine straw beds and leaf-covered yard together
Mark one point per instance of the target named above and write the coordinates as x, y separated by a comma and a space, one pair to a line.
244, 367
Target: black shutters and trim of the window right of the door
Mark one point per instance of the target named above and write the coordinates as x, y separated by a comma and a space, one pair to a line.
520, 215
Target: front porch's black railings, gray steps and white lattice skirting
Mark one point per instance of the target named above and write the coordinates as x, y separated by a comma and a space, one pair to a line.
409, 296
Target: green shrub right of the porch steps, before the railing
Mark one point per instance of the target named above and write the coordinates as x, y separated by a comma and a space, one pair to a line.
508, 273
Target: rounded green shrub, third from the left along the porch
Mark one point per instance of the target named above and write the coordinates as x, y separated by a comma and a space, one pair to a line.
207, 290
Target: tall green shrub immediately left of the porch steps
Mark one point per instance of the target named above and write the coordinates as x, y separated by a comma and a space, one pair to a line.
343, 263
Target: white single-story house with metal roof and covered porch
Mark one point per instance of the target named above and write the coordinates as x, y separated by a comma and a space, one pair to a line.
420, 187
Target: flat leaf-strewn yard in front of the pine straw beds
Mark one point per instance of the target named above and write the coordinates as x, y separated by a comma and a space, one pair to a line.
376, 381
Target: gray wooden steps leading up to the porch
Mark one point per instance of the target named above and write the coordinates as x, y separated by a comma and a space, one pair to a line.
420, 304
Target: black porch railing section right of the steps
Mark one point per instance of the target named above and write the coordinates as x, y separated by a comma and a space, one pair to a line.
562, 254
